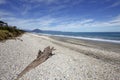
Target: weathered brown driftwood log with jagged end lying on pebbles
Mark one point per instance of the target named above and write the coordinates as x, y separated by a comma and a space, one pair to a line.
41, 57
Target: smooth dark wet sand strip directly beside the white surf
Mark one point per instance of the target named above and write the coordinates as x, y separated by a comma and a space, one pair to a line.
109, 46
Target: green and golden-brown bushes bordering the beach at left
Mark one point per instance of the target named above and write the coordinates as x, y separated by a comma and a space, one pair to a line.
8, 32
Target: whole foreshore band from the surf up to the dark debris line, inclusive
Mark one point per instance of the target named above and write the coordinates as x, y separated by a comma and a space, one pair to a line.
96, 49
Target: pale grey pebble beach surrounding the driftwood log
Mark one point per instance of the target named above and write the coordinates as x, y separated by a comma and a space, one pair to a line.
70, 62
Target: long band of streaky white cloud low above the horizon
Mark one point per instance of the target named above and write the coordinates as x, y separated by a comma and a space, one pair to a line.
62, 24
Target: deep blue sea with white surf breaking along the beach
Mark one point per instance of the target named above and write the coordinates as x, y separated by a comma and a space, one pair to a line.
113, 37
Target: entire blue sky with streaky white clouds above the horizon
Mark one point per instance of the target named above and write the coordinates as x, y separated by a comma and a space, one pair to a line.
63, 15
